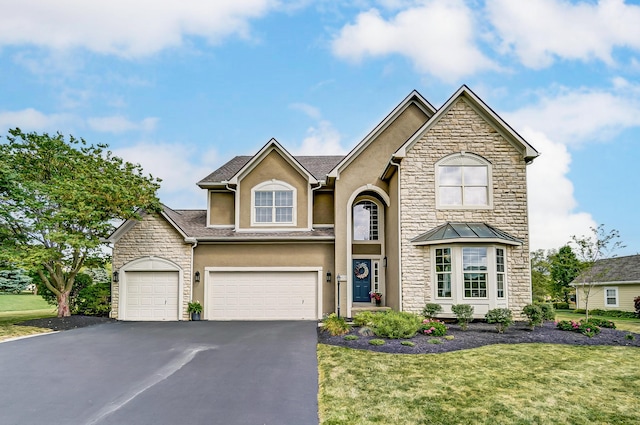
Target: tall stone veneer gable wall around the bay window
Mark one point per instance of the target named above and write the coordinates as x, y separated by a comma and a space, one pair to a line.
462, 129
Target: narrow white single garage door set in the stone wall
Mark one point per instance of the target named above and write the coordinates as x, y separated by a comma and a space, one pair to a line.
151, 296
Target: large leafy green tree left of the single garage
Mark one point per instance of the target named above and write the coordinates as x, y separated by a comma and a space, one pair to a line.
59, 200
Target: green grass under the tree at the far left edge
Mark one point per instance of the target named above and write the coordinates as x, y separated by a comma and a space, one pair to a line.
18, 308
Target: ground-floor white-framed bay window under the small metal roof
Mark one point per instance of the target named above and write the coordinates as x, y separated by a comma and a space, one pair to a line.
468, 272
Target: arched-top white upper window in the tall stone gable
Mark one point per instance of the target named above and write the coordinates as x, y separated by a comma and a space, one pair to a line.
463, 181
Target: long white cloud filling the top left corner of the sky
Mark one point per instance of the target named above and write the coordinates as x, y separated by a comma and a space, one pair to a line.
125, 28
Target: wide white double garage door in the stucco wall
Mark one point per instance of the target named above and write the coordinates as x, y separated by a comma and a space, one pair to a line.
262, 295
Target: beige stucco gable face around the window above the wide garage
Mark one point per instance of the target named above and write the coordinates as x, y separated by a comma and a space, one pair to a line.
274, 167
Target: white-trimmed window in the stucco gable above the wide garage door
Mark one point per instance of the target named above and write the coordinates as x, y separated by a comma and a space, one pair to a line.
273, 203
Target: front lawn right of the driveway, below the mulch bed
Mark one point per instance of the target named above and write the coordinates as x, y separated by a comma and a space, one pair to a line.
499, 384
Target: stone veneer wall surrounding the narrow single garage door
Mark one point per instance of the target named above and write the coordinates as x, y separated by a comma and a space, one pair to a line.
153, 236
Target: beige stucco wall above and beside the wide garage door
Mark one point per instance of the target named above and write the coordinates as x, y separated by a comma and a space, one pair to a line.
317, 254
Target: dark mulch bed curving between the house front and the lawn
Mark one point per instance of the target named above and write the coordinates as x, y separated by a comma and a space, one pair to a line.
479, 334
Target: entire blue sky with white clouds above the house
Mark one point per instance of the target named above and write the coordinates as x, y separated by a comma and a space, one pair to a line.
181, 87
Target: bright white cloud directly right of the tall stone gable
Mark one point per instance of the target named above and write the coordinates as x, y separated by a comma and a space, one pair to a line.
553, 218
